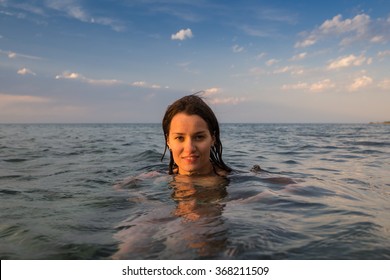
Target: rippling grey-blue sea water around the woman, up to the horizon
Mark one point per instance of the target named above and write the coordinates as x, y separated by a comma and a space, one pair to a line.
100, 192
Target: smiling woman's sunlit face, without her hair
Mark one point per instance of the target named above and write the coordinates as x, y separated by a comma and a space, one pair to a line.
190, 141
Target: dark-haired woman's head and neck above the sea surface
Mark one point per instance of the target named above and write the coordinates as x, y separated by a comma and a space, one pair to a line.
192, 136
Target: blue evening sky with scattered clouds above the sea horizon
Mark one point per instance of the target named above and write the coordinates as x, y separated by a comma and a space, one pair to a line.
98, 61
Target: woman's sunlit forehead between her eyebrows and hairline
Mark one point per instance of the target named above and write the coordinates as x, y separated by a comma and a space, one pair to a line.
183, 123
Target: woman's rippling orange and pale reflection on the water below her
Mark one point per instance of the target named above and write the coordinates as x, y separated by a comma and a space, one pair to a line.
192, 224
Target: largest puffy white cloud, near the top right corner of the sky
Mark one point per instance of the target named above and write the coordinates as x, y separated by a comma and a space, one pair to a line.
359, 28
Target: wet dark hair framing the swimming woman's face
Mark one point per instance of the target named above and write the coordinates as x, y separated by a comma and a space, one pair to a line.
194, 105
